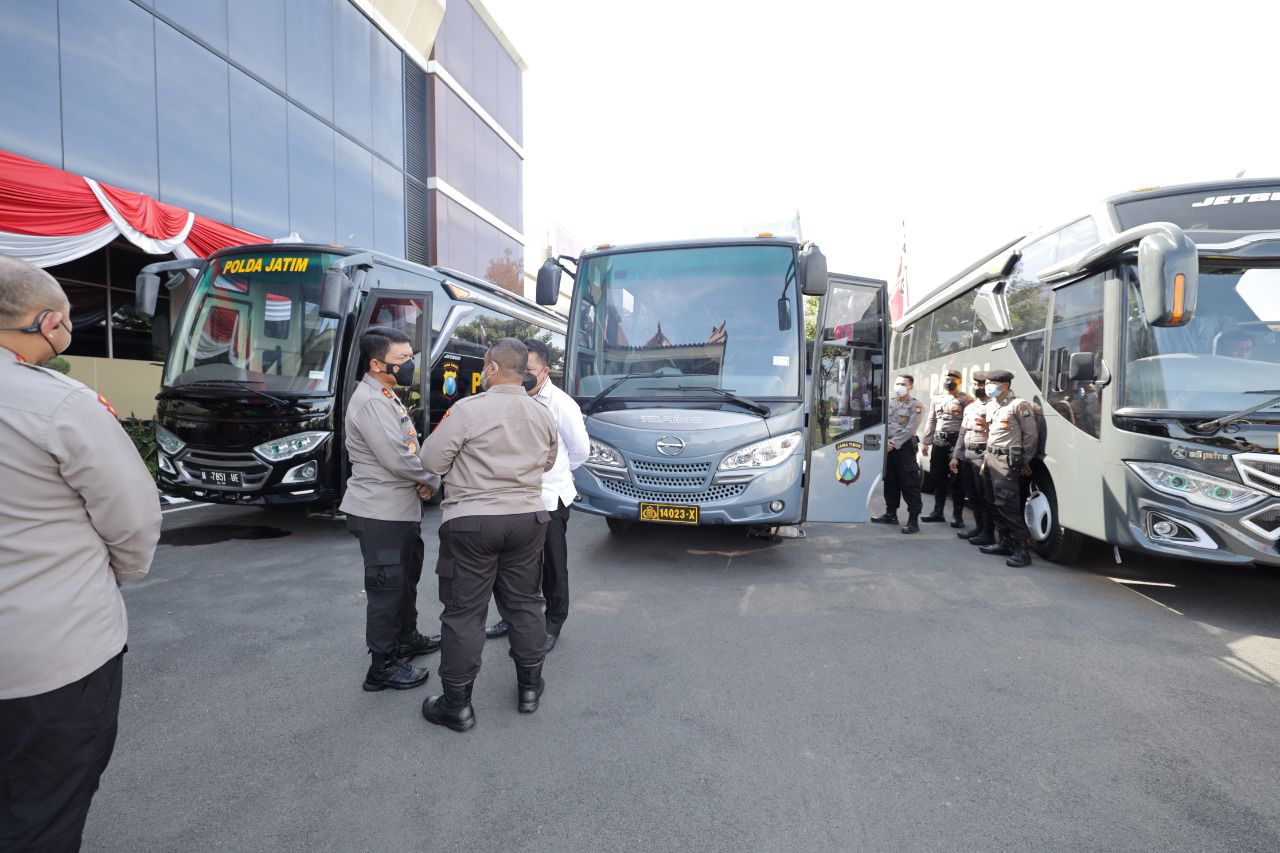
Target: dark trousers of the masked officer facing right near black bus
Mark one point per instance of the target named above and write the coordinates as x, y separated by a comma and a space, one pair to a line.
394, 565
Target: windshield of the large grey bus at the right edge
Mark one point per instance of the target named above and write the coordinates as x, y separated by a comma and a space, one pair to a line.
1209, 366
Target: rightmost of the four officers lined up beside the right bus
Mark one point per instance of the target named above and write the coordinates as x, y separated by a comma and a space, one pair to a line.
1012, 444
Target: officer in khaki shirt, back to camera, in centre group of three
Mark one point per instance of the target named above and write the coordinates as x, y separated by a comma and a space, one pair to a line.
492, 450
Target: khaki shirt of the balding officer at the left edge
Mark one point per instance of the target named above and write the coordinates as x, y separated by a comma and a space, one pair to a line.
79, 513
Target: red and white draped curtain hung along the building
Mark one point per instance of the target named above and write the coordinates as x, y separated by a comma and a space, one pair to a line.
51, 217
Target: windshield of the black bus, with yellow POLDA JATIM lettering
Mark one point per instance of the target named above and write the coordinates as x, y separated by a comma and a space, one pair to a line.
255, 320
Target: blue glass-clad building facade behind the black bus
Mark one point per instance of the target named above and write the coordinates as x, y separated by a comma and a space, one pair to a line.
392, 125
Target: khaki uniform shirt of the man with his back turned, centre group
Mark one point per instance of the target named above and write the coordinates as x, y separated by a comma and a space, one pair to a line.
492, 450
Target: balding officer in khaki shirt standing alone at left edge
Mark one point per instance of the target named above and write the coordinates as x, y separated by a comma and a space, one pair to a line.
79, 516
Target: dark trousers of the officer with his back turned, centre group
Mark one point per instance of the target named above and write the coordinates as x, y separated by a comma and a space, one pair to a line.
483, 556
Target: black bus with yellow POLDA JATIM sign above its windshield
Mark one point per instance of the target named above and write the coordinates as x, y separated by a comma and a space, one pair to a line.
264, 358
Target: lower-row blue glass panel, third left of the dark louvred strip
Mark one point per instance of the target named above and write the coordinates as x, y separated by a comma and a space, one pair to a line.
312, 180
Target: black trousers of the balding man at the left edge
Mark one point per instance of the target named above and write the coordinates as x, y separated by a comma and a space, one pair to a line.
53, 751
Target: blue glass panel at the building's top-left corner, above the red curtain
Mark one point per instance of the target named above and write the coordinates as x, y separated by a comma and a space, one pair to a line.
29, 67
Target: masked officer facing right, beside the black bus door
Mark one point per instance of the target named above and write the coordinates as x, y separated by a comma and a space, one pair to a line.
385, 509
